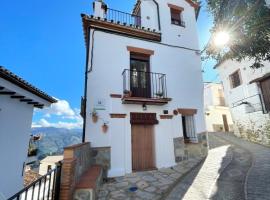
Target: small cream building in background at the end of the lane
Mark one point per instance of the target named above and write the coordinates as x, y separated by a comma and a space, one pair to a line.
217, 114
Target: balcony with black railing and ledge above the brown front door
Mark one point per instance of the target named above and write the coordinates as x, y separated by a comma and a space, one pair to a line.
140, 87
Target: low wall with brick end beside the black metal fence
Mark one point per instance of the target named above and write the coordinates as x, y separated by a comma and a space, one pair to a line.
77, 159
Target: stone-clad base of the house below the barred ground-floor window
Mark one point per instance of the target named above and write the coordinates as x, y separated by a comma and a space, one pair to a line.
184, 151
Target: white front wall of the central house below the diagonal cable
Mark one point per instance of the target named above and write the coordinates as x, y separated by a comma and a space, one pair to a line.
184, 85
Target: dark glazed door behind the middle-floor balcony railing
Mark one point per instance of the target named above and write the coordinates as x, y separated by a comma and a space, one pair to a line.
140, 79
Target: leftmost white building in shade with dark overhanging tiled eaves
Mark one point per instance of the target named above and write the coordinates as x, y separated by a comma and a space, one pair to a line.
17, 102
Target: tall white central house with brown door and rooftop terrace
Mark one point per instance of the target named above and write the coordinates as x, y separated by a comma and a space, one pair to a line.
144, 87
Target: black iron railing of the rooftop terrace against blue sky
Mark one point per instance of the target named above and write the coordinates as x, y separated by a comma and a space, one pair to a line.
120, 17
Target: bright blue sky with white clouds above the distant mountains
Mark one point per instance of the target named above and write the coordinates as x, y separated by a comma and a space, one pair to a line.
42, 41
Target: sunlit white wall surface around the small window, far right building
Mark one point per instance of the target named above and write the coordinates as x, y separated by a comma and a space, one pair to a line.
254, 121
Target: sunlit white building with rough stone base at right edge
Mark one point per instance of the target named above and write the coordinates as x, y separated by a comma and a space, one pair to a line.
247, 93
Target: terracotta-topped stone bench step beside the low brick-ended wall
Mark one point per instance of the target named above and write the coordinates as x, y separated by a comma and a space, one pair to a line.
89, 184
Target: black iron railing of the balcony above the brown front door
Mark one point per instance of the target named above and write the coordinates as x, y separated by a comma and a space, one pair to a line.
144, 84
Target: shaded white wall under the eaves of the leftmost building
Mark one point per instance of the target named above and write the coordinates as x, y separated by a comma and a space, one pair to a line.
15, 125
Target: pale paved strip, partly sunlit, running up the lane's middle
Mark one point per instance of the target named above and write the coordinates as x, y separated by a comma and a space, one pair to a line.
200, 182
